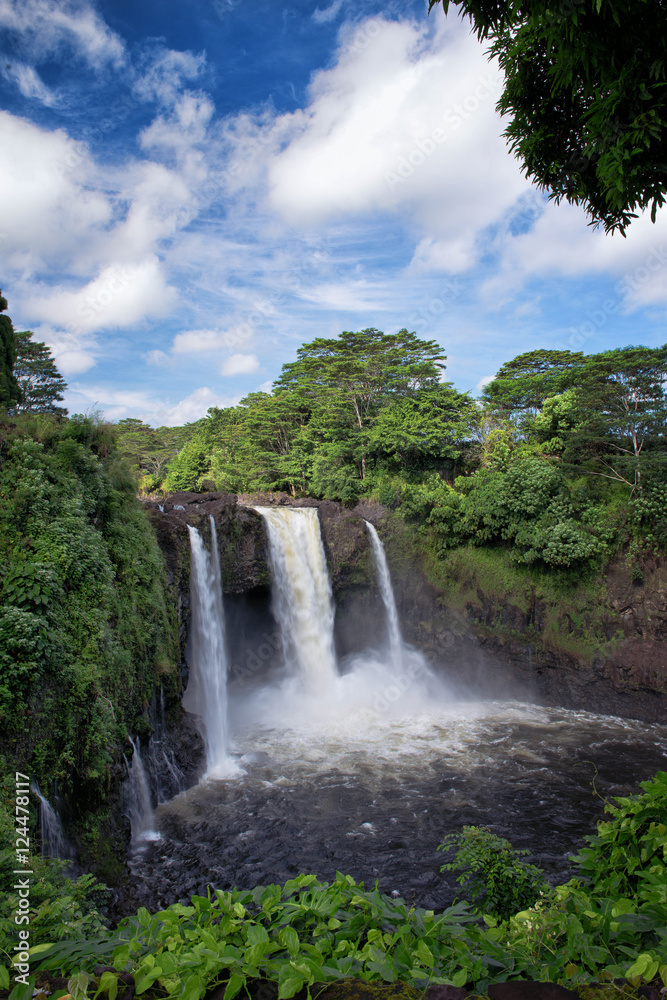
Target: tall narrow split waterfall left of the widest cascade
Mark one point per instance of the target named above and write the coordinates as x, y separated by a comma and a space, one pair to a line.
206, 694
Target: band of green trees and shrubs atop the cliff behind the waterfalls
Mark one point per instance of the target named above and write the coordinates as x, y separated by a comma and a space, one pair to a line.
562, 460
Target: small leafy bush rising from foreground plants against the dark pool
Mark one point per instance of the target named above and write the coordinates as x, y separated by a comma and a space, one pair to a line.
495, 879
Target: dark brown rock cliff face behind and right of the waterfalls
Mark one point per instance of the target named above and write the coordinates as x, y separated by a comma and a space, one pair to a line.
490, 645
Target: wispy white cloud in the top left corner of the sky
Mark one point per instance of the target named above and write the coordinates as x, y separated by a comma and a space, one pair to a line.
44, 27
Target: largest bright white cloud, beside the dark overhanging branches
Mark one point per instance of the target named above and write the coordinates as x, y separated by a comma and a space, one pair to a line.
403, 124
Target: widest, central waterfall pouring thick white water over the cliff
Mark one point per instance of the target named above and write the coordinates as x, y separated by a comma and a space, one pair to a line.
302, 601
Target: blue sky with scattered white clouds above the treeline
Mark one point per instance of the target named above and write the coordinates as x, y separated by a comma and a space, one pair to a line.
189, 192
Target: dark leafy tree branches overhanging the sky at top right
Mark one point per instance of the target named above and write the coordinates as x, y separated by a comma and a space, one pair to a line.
586, 97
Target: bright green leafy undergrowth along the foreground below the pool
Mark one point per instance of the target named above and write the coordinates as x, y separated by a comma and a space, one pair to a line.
609, 923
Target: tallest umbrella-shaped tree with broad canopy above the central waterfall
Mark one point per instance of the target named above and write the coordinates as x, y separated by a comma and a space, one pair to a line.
363, 369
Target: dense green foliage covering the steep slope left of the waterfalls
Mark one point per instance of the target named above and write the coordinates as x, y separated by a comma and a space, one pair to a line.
86, 625
